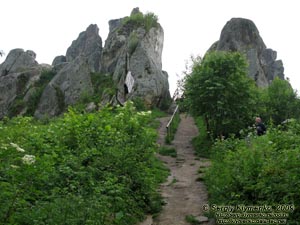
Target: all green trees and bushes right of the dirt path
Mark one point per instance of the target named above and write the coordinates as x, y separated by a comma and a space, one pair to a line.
246, 169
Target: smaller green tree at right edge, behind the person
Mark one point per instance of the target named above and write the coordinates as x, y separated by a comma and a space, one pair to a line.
280, 101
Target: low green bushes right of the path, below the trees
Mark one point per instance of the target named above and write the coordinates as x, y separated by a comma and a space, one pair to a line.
256, 170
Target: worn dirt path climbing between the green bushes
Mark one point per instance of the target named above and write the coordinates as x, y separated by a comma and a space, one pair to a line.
182, 193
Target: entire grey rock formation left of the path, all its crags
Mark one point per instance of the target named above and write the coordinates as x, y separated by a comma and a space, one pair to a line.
133, 47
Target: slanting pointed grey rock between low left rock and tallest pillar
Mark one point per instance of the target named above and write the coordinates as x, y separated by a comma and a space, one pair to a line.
73, 78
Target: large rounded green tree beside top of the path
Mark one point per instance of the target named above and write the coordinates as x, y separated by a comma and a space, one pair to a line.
219, 90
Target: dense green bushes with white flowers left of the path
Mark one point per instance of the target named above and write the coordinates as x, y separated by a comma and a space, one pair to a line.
79, 169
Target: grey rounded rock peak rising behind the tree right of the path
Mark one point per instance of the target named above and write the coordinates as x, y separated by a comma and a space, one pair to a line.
242, 35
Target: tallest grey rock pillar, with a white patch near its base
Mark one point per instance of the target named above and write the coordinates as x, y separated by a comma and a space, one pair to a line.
133, 48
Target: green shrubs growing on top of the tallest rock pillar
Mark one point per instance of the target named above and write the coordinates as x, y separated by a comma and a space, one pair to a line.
147, 21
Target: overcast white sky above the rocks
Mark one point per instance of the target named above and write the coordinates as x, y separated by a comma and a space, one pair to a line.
48, 27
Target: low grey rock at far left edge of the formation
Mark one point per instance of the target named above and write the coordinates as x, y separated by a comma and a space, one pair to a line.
19, 72
